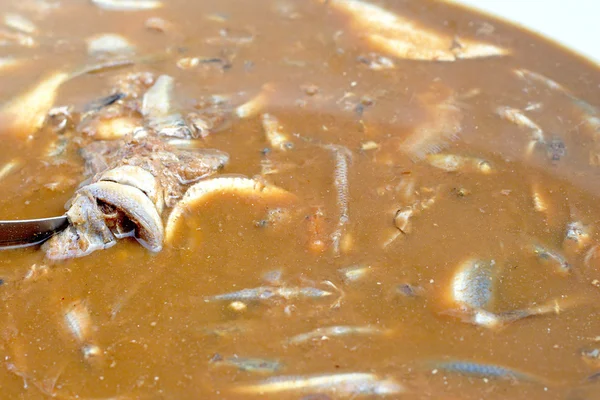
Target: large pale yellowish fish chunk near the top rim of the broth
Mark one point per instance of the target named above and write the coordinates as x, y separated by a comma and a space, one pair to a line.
404, 38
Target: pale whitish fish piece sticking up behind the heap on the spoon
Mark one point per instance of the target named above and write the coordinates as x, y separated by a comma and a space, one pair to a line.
159, 111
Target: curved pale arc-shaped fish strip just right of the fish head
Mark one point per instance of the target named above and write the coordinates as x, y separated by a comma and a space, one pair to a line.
203, 190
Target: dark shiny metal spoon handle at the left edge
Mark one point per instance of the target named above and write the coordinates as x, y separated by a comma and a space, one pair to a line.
29, 232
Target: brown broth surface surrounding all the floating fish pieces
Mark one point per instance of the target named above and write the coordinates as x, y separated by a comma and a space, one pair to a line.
148, 311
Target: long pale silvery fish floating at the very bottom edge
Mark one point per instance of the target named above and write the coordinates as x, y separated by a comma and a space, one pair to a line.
342, 385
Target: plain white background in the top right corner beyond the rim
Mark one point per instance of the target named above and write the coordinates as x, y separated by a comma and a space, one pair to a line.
573, 23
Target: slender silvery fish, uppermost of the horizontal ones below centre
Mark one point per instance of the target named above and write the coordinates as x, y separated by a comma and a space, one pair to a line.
268, 293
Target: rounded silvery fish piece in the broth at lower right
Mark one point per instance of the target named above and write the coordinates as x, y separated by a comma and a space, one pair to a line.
473, 284
